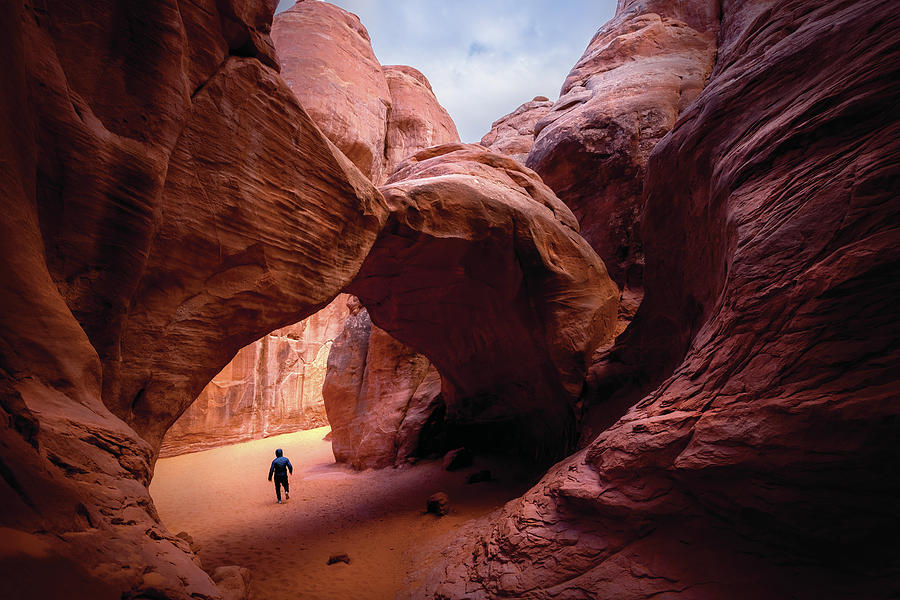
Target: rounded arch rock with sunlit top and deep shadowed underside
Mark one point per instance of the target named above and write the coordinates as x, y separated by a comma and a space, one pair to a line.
481, 268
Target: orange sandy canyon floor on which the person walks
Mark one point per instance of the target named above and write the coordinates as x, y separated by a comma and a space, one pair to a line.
223, 499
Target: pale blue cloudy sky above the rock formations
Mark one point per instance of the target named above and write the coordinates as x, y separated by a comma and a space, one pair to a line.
483, 57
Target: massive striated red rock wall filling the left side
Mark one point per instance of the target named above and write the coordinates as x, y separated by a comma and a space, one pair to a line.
166, 201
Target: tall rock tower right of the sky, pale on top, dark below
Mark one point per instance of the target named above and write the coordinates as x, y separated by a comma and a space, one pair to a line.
638, 73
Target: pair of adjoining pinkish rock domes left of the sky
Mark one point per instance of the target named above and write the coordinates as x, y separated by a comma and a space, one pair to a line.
376, 115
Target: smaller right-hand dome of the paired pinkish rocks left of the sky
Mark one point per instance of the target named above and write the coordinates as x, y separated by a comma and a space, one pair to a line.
416, 120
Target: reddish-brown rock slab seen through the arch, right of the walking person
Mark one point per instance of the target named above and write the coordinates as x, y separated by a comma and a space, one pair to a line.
379, 395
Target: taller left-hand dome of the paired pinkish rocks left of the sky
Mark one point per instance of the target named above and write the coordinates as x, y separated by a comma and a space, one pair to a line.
327, 59
